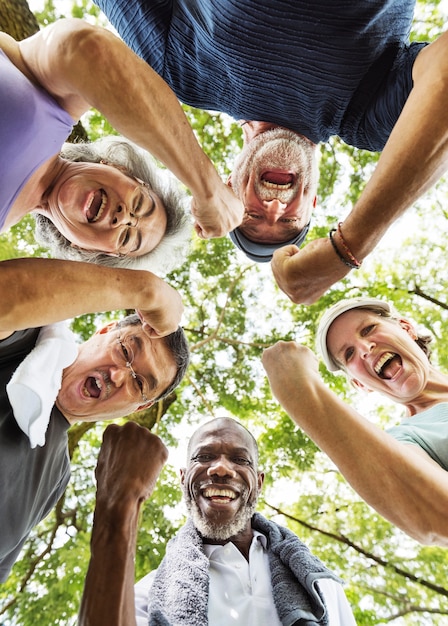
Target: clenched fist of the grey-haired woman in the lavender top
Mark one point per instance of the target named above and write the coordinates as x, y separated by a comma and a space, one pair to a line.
217, 216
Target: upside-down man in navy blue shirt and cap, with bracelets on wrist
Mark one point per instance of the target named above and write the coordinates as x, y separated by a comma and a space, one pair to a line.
317, 69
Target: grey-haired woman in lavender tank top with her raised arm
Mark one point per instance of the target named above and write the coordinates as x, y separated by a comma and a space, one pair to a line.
103, 198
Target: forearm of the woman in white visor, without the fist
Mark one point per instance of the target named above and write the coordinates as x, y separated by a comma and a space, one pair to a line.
407, 489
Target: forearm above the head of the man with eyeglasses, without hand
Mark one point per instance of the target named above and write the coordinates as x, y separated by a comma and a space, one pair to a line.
37, 292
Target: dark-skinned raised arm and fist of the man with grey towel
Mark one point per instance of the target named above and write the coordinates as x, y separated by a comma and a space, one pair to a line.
129, 463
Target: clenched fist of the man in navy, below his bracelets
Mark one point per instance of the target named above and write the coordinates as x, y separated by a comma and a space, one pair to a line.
305, 275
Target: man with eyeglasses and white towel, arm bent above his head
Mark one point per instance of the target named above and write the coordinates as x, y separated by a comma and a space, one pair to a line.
48, 382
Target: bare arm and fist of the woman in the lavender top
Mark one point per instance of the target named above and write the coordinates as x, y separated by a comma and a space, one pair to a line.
87, 66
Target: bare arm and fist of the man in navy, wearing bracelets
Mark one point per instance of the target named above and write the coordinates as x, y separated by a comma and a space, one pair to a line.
414, 158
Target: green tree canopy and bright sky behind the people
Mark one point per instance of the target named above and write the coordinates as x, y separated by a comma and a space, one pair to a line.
233, 310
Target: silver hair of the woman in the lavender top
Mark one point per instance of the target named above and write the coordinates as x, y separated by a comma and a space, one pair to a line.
120, 152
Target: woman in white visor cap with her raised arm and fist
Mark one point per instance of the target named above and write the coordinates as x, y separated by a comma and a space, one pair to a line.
402, 473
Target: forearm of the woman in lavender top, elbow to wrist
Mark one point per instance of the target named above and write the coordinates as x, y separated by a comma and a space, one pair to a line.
156, 121
